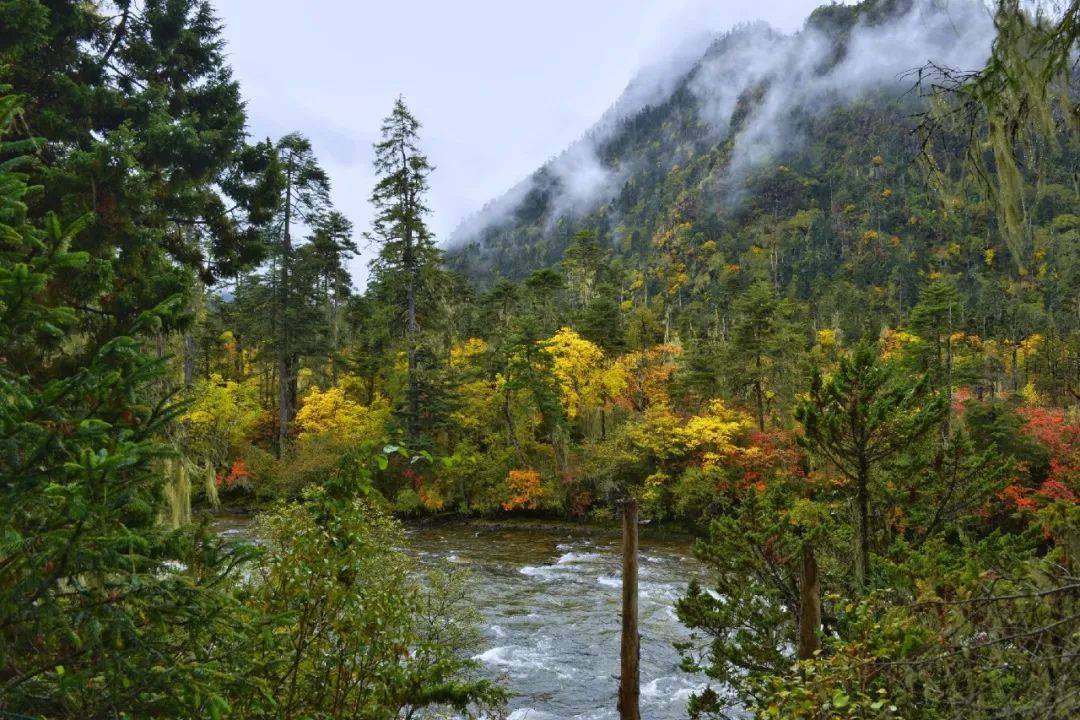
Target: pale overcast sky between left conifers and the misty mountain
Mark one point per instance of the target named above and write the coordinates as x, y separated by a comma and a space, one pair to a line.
501, 86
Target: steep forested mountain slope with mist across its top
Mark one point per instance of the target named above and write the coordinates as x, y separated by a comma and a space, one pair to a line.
798, 158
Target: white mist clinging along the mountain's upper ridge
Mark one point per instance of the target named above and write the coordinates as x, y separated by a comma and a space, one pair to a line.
795, 75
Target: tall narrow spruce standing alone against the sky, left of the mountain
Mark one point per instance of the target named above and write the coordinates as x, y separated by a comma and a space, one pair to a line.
408, 247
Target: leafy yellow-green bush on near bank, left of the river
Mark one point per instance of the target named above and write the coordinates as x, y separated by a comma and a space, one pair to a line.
356, 631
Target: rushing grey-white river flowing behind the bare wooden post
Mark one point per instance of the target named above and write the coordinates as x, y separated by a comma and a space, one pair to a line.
551, 605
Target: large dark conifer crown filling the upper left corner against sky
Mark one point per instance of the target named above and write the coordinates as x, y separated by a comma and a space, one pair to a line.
145, 129
